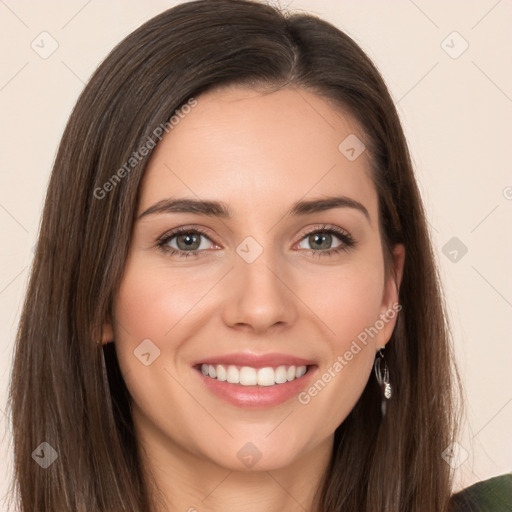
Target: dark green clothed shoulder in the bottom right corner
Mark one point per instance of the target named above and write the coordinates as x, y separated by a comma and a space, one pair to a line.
493, 495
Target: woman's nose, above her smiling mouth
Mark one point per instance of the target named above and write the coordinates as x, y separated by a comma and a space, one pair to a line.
259, 296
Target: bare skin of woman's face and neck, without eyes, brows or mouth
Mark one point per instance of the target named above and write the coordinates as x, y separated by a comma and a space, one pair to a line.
259, 154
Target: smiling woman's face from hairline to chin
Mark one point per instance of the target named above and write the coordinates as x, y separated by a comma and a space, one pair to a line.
279, 265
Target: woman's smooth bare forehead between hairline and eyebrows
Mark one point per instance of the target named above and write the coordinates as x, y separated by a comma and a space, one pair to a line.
246, 147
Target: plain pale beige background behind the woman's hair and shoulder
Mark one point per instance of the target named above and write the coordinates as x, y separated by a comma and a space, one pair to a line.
457, 116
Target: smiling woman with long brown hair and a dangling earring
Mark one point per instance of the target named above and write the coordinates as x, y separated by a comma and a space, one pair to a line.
233, 303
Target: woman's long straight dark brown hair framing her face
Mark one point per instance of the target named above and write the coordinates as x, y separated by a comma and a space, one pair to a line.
68, 392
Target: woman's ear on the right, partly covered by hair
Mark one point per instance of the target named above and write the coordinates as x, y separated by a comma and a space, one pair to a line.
390, 305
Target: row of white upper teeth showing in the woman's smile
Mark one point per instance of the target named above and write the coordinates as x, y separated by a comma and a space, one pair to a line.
248, 376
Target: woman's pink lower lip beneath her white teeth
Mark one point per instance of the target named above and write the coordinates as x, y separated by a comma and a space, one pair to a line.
257, 396
